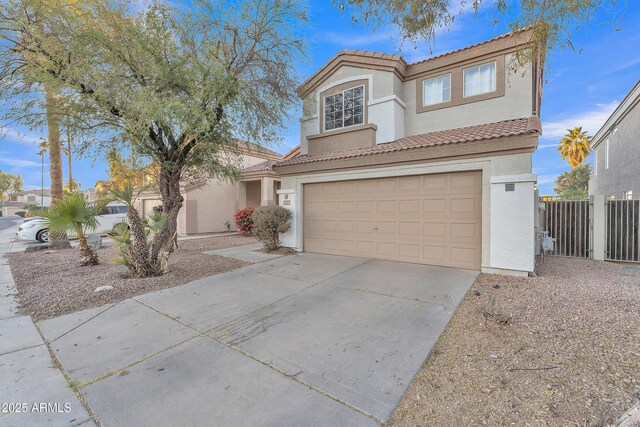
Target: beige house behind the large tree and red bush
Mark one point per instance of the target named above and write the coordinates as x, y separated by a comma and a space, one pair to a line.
209, 204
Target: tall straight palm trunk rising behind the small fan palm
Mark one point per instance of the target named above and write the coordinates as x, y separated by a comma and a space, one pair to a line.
55, 157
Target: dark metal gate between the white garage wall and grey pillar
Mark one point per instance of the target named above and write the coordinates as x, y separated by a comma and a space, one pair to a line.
567, 221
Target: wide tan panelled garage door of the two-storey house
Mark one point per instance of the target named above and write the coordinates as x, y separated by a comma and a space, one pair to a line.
427, 219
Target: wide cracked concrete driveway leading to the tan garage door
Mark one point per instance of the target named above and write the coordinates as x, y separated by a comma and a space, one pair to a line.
299, 340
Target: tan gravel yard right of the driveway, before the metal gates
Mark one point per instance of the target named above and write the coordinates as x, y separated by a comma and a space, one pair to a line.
559, 349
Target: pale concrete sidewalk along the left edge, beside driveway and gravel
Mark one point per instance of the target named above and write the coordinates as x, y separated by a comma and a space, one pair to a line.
33, 390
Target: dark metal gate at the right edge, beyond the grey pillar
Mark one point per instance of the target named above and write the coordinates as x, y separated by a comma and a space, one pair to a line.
622, 230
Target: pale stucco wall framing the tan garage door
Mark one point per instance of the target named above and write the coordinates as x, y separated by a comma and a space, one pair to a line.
508, 249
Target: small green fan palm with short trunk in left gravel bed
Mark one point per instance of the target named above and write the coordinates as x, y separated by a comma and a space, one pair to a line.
72, 214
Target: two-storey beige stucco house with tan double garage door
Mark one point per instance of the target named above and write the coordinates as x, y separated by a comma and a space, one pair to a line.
426, 163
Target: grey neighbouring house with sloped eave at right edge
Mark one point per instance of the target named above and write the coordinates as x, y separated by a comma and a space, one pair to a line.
616, 150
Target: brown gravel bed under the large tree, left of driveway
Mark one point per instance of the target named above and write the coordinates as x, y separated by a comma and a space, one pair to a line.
52, 283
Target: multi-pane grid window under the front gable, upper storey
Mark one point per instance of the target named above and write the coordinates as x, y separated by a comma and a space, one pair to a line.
344, 109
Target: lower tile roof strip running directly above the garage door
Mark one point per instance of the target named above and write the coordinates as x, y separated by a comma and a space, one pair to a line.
523, 126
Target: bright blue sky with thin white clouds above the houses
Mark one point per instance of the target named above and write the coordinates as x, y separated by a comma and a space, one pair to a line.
582, 88
